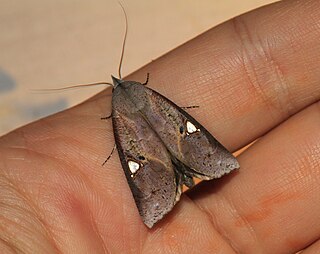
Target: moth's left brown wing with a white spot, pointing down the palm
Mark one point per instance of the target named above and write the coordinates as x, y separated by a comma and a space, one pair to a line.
146, 162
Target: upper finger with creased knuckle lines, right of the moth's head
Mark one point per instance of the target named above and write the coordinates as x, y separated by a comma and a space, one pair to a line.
250, 73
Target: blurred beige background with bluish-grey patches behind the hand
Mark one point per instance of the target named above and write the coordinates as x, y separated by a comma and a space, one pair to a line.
55, 43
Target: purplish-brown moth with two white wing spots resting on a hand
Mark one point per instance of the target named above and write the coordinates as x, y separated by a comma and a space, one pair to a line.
161, 147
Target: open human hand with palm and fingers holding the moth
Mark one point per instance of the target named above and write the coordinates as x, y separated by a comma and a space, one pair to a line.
254, 77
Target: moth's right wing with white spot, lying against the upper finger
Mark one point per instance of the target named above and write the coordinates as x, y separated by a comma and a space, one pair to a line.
186, 139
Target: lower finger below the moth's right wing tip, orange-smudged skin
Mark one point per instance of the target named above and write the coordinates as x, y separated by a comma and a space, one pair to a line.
272, 204
